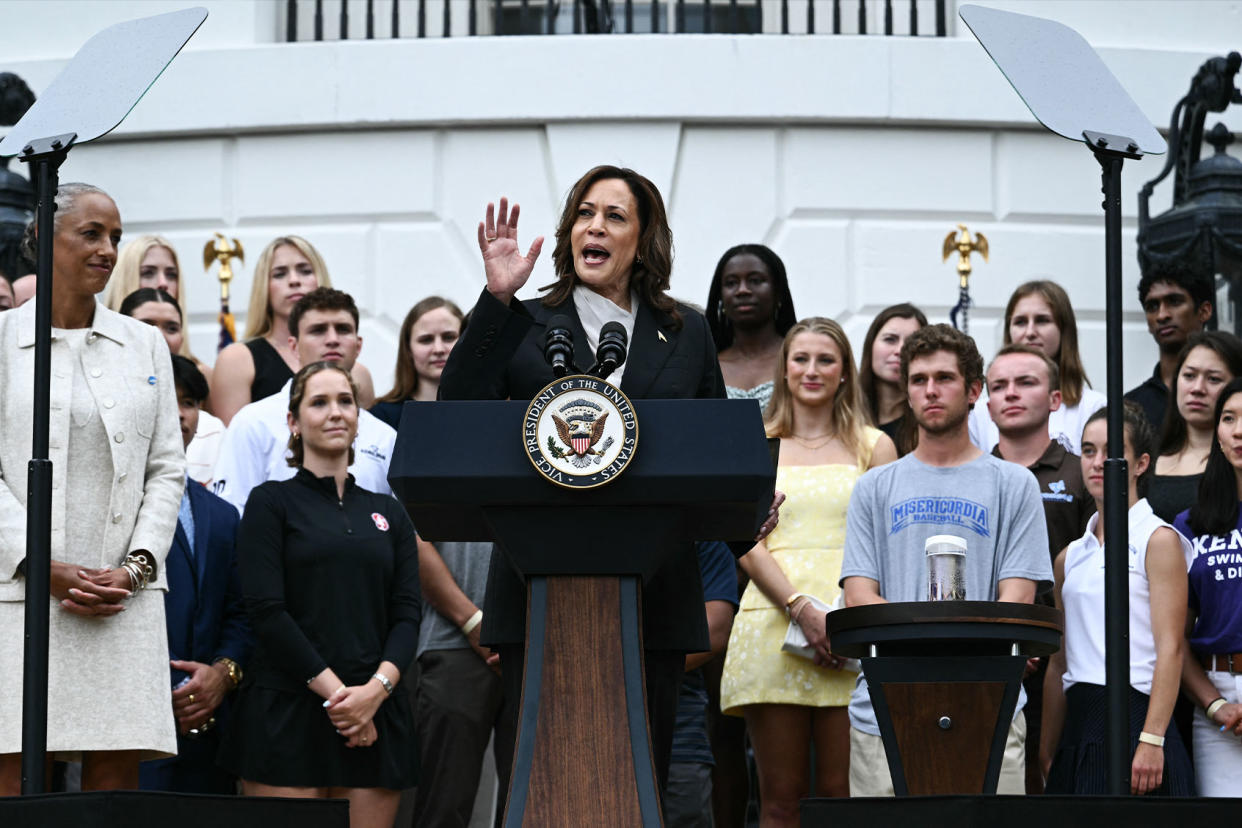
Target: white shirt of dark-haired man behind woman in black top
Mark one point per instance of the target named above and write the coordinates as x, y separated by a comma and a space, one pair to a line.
255, 450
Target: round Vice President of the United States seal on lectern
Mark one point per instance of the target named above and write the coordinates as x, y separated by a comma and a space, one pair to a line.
581, 433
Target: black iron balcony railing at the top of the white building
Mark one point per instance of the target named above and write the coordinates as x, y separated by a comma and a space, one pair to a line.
306, 20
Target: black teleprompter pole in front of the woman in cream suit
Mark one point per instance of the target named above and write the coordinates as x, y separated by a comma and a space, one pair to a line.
45, 158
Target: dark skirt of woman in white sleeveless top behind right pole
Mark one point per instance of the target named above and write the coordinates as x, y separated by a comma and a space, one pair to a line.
1081, 763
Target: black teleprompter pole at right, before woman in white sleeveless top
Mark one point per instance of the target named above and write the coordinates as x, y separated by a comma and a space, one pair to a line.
1110, 153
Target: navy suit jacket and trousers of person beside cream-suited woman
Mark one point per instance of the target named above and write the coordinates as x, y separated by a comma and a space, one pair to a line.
207, 620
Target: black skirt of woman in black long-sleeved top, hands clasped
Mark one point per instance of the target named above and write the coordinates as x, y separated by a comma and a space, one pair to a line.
285, 738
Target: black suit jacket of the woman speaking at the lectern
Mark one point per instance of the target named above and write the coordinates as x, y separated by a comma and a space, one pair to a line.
500, 356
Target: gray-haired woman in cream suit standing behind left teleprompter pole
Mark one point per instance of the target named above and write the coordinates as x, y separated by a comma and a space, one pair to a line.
117, 485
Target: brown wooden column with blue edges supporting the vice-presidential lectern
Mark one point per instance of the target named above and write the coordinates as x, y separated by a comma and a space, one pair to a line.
584, 753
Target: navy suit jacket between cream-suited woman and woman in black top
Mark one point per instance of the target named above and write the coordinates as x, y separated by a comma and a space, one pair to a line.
207, 619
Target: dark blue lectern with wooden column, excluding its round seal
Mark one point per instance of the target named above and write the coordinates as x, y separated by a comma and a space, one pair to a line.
702, 471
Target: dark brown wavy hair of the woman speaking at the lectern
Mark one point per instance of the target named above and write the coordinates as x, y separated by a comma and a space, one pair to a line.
653, 265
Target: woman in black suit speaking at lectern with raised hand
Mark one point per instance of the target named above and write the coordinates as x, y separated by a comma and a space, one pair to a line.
614, 256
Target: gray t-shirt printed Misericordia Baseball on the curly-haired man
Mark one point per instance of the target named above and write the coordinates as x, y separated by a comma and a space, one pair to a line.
992, 503
